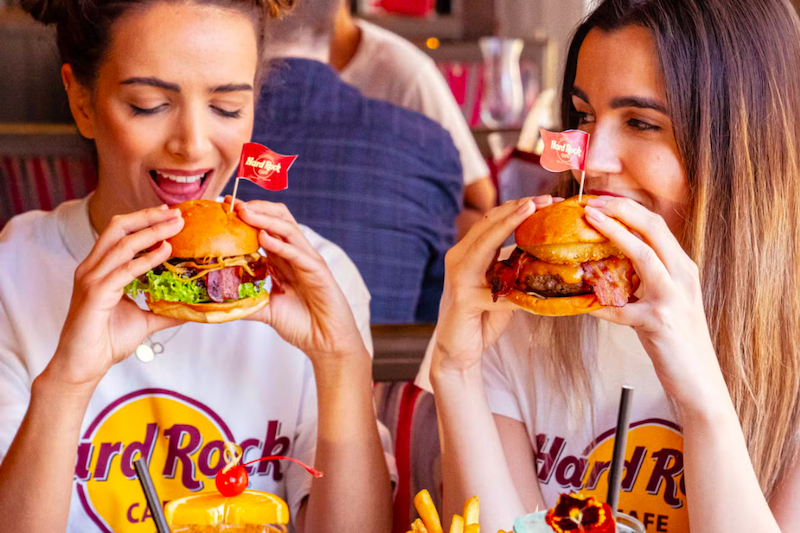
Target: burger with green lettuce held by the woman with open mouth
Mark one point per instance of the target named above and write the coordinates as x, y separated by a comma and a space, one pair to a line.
215, 274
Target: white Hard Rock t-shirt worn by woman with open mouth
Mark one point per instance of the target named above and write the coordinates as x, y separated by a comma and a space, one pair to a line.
237, 382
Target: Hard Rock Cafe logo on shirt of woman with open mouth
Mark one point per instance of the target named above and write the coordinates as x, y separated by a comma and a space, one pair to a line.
181, 439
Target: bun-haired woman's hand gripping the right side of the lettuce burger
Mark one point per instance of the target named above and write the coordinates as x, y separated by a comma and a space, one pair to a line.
311, 313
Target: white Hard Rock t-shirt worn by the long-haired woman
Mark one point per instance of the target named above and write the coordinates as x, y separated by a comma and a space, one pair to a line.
573, 452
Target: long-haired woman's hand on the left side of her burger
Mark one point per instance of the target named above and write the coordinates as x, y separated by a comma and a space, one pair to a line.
469, 321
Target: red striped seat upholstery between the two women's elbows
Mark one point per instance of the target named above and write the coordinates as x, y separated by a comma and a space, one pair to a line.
410, 414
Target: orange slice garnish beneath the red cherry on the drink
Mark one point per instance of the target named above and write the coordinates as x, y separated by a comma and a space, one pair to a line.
249, 512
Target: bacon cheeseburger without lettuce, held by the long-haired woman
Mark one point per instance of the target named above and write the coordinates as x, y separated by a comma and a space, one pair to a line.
563, 266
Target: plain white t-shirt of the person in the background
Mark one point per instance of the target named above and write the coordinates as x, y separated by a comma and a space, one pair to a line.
390, 68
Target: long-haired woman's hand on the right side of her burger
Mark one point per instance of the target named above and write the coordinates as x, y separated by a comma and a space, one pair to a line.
669, 316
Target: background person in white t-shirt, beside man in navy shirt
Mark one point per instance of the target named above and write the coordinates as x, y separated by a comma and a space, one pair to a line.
387, 67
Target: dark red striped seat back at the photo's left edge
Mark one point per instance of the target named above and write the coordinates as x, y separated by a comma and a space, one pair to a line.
42, 182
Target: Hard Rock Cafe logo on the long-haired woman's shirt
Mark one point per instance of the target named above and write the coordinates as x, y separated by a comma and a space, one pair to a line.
653, 487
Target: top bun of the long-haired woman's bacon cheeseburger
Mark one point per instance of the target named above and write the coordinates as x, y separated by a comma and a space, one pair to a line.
560, 234
